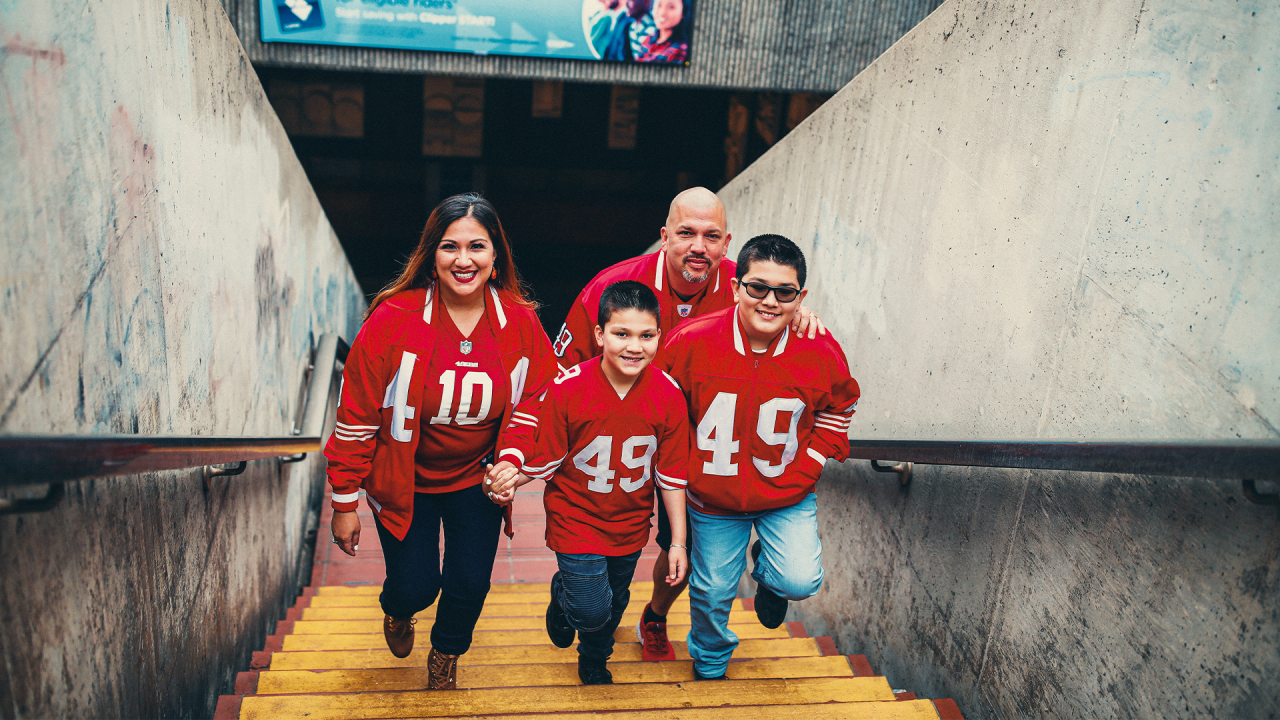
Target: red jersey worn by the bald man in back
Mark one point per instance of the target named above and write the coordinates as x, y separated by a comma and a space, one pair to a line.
577, 340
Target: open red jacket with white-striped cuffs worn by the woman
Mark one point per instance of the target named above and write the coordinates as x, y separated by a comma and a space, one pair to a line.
381, 403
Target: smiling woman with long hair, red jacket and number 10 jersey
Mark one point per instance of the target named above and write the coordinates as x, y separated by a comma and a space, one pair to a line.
455, 336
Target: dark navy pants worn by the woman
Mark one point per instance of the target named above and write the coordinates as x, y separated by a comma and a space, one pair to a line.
414, 576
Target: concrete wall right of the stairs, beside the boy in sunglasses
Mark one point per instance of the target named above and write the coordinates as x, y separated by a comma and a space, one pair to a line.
1050, 221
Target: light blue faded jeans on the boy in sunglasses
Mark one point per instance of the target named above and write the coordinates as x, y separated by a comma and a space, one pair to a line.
790, 566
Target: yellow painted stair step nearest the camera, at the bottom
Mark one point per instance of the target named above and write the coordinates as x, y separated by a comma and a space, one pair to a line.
579, 699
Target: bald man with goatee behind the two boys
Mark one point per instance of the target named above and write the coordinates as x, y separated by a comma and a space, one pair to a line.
691, 277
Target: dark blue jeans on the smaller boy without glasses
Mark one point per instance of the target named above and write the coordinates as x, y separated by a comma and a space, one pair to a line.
595, 593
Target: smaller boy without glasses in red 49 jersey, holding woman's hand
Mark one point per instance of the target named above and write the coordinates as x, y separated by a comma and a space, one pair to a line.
605, 429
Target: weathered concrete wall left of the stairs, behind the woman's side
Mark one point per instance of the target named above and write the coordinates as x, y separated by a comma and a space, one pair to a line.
166, 270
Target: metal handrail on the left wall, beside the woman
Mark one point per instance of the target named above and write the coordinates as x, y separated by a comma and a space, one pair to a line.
48, 459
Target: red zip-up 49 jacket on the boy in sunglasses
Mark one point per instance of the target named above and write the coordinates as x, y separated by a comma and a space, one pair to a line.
766, 422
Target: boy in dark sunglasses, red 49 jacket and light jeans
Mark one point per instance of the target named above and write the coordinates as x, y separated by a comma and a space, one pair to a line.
770, 409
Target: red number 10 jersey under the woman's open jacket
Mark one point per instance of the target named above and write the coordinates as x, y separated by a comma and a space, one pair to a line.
467, 390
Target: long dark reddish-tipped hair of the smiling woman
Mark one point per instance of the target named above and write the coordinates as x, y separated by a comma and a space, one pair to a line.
420, 268
